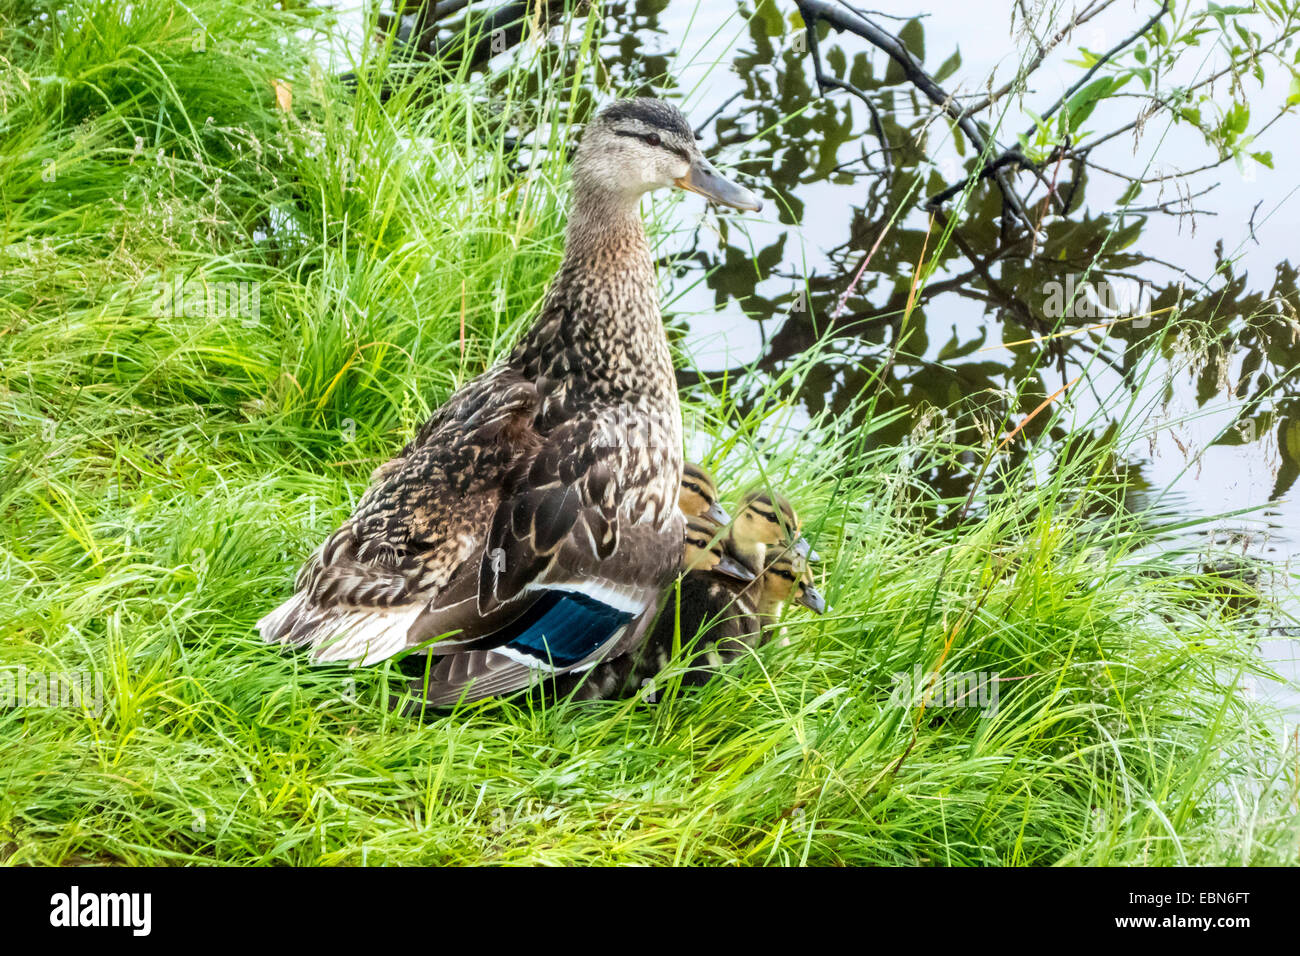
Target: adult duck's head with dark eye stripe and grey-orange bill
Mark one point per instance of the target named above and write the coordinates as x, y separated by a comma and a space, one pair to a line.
636, 146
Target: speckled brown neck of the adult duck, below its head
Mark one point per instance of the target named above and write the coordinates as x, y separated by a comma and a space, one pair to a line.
601, 318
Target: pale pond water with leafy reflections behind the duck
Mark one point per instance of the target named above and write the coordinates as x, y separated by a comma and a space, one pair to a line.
827, 207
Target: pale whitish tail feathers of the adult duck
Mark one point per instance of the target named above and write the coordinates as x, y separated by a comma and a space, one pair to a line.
357, 635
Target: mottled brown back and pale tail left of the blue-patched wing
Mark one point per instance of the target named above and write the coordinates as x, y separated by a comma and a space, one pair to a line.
422, 521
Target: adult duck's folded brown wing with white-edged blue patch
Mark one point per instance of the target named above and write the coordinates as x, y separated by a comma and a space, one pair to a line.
566, 578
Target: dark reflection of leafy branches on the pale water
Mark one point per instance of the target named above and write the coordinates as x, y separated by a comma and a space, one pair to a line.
1019, 284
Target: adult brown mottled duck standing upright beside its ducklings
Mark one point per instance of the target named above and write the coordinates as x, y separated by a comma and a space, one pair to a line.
532, 520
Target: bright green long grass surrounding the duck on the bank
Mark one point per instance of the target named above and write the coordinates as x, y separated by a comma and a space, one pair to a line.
164, 475
